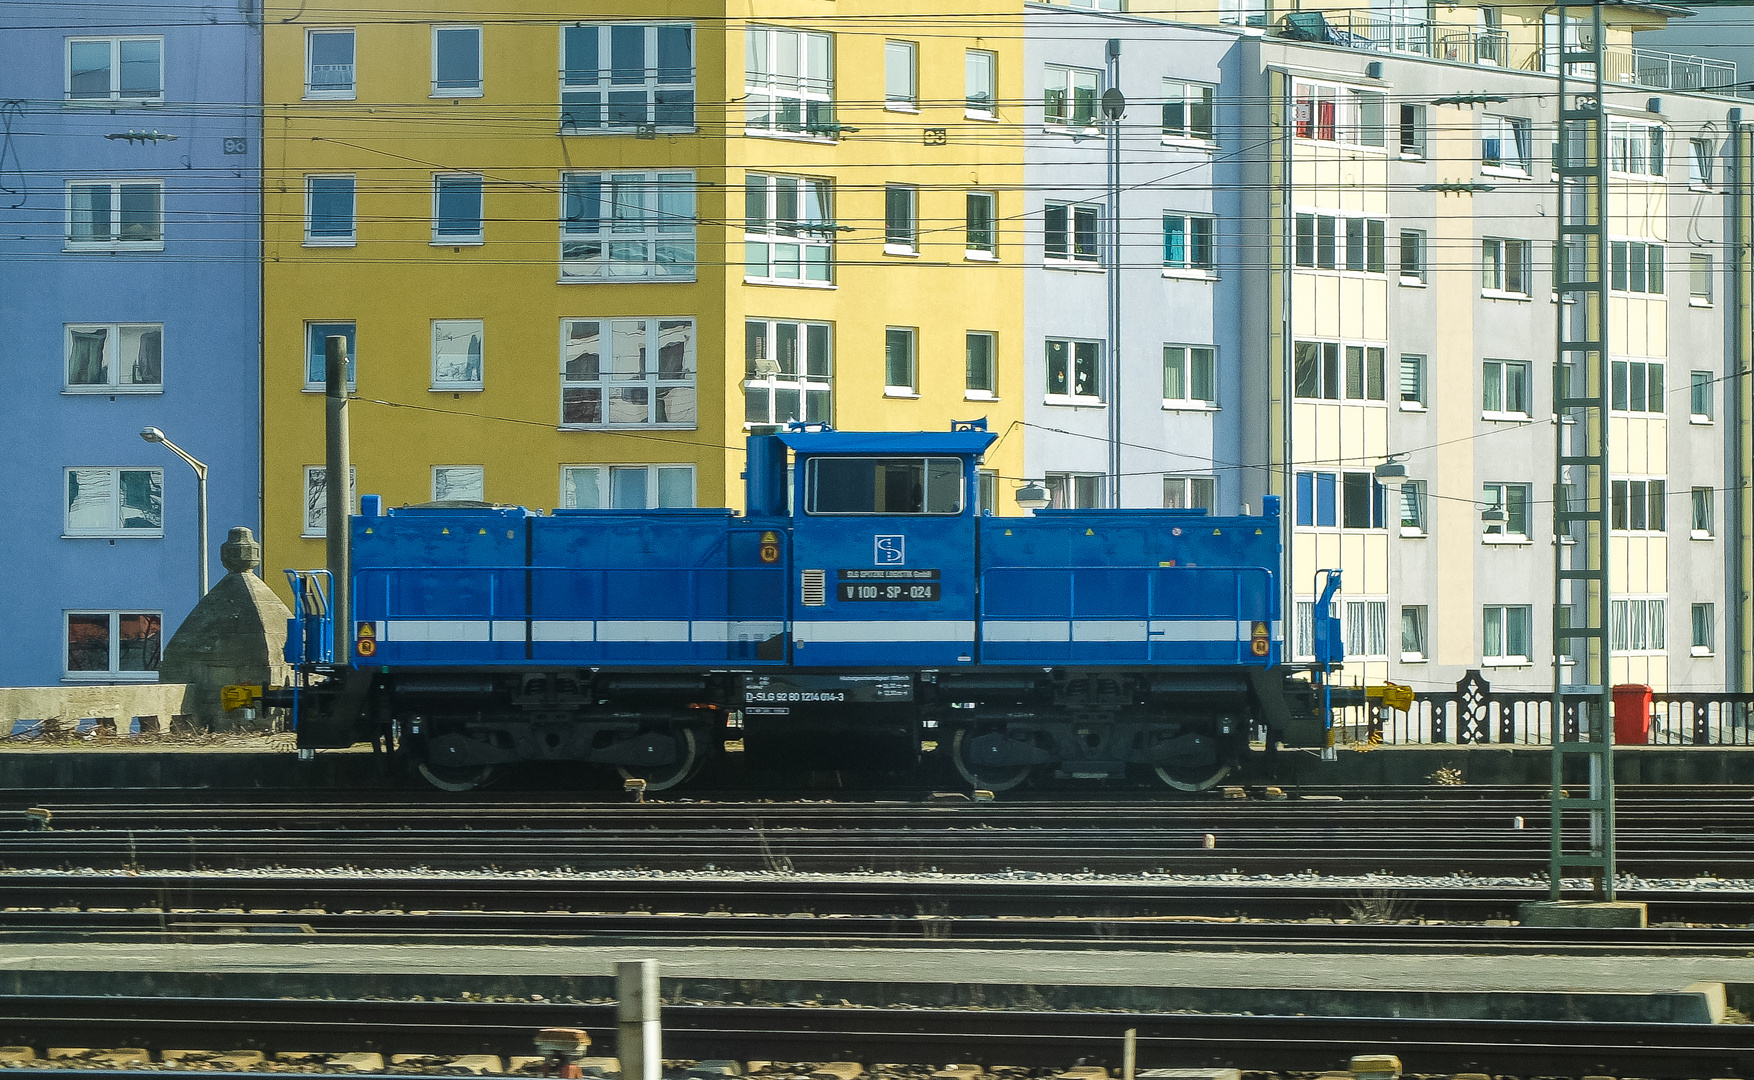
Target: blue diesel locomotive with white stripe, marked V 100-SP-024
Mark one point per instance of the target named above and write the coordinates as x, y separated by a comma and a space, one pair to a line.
864, 606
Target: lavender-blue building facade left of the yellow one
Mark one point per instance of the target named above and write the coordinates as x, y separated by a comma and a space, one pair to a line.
131, 225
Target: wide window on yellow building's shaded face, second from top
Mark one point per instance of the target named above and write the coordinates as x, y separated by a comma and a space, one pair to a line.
627, 225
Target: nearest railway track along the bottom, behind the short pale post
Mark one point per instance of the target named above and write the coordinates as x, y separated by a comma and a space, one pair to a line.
922, 1035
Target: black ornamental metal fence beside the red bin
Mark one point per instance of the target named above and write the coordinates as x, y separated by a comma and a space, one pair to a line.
1474, 714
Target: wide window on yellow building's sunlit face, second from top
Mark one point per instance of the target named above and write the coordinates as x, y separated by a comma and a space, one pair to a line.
788, 229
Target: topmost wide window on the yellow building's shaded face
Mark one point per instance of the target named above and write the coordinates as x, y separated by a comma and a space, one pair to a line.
627, 76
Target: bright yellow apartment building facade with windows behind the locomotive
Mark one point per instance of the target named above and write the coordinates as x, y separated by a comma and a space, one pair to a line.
578, 260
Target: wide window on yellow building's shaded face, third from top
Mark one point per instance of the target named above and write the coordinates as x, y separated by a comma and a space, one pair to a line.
627, 374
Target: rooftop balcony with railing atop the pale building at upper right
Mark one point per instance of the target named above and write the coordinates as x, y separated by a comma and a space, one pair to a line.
1387, 32
